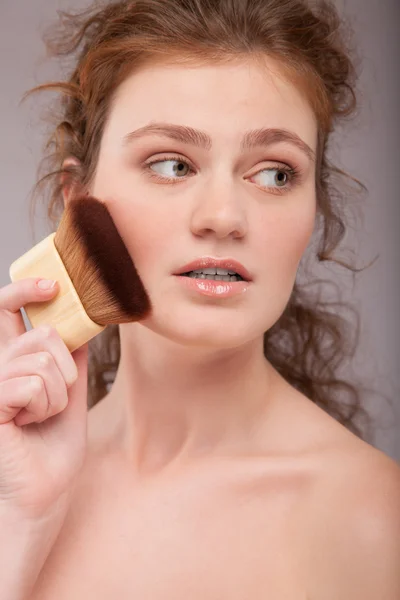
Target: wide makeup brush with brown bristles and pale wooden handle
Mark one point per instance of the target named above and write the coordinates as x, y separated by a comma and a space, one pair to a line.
99, 283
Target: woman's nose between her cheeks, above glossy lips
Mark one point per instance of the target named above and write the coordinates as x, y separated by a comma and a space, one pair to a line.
220, 210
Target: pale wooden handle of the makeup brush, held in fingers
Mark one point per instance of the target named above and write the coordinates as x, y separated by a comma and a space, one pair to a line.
65, 312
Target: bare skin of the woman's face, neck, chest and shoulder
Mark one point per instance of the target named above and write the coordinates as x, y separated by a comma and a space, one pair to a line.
206, 474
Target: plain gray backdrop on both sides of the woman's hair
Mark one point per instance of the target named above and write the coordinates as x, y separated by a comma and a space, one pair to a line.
367, 148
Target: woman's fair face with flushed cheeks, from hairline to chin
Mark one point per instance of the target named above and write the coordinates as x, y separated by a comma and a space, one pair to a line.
216, 200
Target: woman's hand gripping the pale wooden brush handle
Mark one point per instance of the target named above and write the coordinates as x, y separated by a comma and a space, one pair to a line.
43, 410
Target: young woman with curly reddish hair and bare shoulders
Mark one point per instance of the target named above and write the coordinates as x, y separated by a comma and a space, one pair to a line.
213, 467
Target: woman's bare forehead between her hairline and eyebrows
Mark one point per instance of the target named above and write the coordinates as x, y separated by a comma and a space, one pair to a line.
201, 94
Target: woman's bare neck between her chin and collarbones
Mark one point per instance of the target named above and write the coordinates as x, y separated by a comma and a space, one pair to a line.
173, 403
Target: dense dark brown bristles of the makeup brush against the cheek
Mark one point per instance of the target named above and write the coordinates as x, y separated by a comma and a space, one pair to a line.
99, 264
